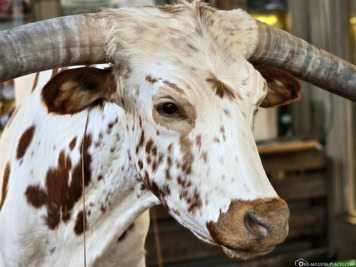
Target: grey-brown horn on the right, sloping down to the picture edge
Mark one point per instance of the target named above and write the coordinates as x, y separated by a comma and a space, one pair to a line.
280, 49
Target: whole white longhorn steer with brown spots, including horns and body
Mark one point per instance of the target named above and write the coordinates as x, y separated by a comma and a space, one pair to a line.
171, 122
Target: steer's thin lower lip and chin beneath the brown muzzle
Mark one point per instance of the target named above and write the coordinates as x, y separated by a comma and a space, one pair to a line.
246, 254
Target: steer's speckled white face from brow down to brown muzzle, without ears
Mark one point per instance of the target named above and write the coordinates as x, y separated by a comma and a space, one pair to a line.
194, 149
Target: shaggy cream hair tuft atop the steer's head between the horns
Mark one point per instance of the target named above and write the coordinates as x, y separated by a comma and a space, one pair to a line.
187, 35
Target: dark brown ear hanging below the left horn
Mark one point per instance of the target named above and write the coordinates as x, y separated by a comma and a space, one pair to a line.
74, 90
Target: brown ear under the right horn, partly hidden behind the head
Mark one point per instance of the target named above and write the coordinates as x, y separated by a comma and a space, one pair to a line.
283, 88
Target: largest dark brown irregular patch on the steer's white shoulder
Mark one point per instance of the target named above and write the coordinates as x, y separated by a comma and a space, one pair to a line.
59, 195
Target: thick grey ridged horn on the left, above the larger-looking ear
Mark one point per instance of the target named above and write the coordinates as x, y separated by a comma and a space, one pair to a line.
54, 43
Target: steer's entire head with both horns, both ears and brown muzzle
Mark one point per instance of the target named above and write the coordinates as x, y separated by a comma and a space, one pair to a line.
185, 76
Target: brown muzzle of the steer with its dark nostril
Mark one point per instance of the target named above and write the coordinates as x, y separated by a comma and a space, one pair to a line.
252, 227
